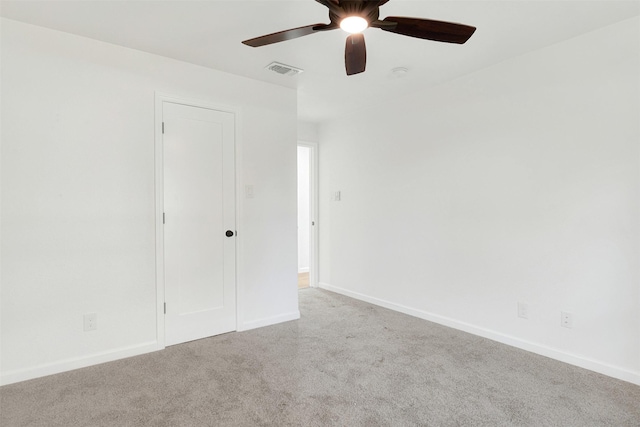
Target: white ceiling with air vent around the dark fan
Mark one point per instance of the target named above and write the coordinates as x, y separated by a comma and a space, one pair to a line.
209, 33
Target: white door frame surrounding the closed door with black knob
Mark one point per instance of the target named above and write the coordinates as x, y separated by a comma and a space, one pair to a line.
160, 98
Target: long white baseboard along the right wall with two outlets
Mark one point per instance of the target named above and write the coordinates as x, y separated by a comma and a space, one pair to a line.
572, 359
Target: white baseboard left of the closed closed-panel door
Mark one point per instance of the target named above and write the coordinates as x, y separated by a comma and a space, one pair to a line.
18, 375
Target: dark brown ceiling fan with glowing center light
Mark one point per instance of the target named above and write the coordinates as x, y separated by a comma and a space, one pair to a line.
354, 16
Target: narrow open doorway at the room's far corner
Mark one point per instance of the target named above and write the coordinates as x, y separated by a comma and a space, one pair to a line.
307, 223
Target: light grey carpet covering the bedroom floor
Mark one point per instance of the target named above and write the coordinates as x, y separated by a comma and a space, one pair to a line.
344, 363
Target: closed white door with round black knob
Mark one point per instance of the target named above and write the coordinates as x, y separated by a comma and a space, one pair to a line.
199, 208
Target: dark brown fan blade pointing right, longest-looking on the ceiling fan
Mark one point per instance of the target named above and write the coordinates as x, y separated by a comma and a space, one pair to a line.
440, 31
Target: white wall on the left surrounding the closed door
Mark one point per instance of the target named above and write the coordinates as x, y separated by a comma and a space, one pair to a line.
78, 197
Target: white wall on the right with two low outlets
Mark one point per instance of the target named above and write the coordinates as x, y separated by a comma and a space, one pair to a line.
517, 183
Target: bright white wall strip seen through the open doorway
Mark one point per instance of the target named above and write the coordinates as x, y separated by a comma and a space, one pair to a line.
304, 218
